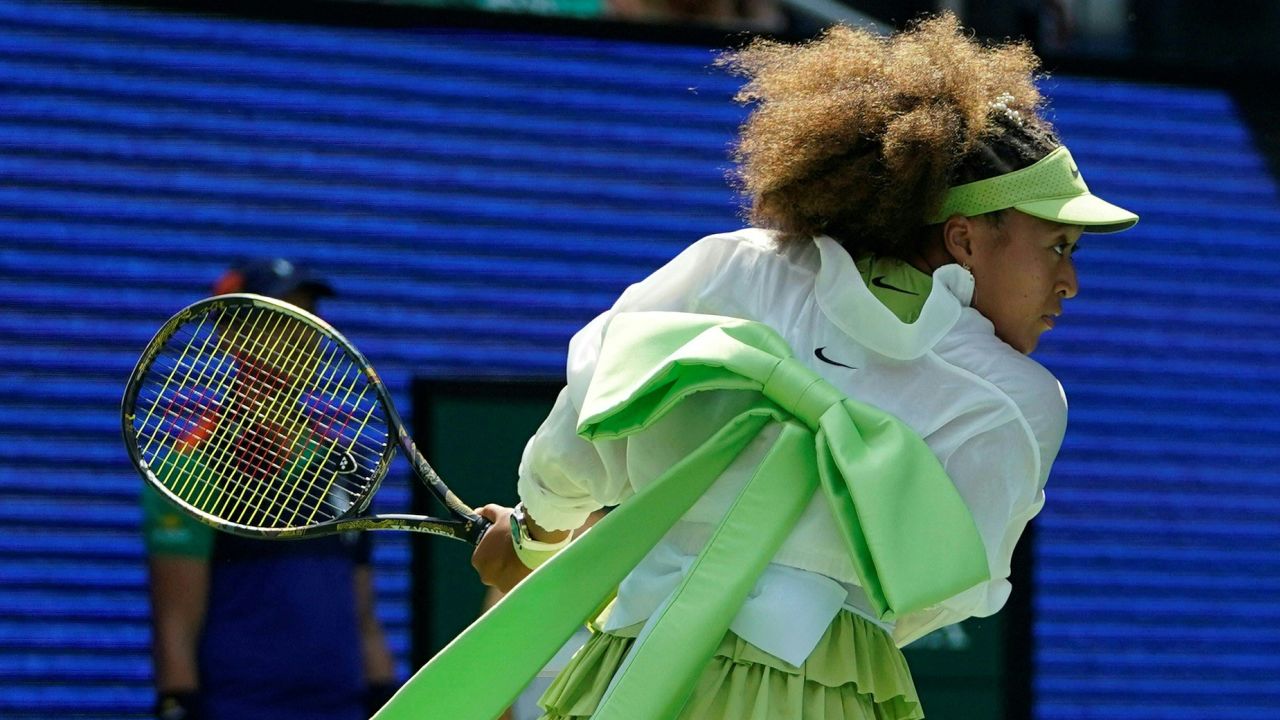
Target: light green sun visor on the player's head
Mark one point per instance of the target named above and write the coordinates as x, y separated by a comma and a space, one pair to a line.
1052, 190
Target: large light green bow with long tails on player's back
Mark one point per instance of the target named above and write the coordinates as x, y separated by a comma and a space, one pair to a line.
912, 540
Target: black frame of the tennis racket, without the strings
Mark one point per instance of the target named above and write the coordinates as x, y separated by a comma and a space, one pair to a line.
468, 526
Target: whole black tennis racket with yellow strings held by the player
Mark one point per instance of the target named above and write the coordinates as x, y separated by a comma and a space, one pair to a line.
263, 421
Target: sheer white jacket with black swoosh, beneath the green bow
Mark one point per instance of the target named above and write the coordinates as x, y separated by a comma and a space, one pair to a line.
994, 417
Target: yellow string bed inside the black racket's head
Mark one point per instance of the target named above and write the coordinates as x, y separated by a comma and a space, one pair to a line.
275, 408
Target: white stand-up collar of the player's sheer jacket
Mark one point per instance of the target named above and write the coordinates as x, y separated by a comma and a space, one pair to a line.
845, 299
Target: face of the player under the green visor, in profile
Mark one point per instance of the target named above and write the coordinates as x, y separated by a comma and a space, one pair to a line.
1023, 274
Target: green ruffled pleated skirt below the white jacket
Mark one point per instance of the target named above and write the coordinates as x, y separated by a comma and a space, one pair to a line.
856, 673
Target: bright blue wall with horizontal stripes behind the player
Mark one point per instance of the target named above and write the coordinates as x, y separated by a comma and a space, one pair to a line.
477, 197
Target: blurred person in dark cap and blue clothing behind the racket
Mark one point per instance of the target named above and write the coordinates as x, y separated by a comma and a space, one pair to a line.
248, 630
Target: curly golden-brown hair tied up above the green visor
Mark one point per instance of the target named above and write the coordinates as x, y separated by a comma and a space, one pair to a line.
858, 136
